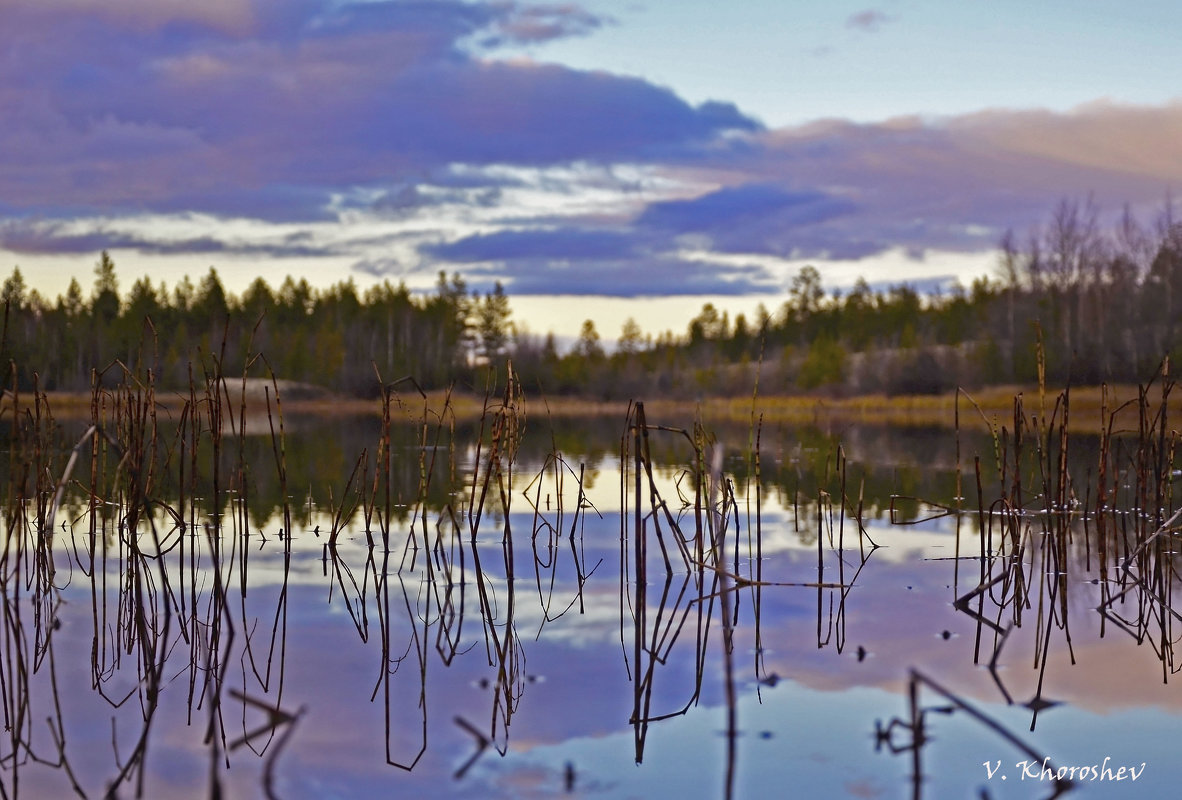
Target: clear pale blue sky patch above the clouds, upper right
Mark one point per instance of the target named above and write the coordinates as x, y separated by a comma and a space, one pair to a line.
791, 63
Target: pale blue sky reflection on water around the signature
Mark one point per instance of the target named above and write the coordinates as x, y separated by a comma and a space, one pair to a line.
822, 745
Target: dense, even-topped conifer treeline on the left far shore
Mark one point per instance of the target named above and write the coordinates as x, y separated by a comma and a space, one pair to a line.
333, 337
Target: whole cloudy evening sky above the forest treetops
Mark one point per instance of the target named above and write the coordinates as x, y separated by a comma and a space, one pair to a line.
602, 160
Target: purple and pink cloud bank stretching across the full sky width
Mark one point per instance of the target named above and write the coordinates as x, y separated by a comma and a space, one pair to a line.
301, 114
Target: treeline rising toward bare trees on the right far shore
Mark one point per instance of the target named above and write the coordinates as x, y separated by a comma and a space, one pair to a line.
1079, 301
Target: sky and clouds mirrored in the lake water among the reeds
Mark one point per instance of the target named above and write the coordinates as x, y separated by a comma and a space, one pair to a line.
814, 729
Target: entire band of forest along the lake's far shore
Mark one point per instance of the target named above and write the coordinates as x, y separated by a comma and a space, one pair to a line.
1083, 302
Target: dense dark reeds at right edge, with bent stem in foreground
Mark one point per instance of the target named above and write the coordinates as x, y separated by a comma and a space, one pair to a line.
1051, 534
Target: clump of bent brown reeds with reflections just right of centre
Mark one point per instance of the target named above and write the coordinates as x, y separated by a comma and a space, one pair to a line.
706, 562
